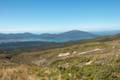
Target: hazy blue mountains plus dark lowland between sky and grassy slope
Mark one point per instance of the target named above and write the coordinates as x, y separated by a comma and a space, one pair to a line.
24, 42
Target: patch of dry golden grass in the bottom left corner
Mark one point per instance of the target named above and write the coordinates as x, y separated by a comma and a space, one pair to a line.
16, 73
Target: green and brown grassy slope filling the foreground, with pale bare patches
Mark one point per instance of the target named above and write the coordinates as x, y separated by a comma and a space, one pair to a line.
90, 60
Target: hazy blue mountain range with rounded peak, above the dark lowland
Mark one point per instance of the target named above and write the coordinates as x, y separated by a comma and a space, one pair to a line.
62, 37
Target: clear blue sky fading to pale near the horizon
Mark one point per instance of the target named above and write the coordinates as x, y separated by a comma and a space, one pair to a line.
59, 15
